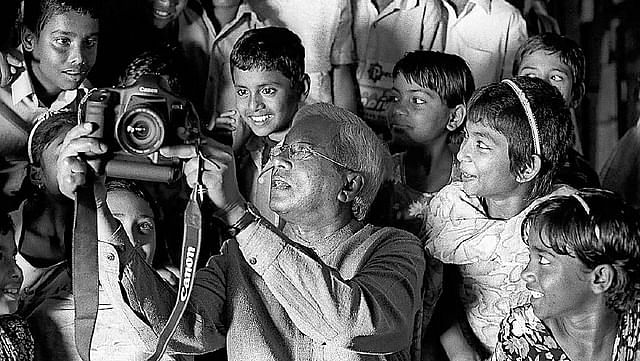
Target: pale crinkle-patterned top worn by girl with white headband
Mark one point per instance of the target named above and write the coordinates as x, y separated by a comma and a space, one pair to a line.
490, 254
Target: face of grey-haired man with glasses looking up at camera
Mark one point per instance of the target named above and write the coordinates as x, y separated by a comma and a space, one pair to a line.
307, 189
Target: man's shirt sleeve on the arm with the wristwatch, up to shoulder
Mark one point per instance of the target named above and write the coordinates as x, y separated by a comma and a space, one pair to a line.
372, 312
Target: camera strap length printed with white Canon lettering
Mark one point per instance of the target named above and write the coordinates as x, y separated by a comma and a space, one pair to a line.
190, 252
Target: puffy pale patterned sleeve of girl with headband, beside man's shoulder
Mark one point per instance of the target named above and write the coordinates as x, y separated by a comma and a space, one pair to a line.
456, 230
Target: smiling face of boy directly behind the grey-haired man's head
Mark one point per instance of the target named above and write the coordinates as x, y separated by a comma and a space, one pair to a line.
265, 100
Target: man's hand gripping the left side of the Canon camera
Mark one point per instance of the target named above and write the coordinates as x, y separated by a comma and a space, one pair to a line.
74, 170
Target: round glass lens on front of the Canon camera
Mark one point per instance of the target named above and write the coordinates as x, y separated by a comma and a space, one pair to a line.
140, 131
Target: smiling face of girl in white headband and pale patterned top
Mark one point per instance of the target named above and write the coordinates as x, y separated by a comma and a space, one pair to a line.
484, 163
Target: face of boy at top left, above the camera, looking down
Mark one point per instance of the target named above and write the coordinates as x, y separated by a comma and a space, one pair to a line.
64, 52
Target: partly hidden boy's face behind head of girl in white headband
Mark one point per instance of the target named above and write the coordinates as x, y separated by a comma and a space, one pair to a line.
548, 67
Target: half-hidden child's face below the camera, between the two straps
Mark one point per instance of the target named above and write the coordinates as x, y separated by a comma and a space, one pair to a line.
136, 217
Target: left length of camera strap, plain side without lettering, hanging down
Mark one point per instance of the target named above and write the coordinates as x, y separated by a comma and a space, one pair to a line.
84, 269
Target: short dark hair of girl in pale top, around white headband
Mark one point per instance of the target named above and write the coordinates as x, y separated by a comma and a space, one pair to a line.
498, 107
